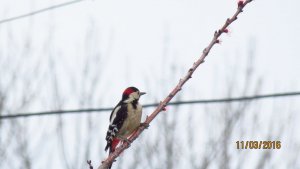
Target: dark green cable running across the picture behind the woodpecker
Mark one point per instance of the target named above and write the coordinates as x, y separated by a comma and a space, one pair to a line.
176, 103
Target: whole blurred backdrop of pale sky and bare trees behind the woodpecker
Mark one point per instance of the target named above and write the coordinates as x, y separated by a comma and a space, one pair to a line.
83, 54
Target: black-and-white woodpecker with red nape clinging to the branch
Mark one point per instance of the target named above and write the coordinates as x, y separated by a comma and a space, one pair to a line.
125, 118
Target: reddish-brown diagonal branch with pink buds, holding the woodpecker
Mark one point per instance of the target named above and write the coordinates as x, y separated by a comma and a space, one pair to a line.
161, 107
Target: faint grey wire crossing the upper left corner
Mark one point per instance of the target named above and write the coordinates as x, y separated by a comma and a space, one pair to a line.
39, 11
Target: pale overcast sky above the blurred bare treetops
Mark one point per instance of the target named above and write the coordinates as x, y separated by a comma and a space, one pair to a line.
135, 31
